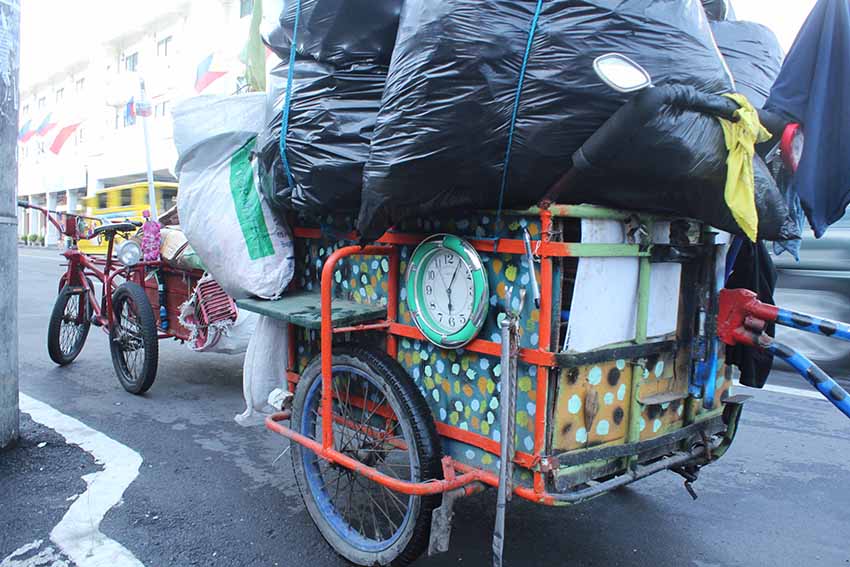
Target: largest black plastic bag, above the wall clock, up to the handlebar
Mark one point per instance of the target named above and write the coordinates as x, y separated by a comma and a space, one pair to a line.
442, 132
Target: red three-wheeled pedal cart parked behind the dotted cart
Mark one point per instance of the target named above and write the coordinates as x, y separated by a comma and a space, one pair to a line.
138, 304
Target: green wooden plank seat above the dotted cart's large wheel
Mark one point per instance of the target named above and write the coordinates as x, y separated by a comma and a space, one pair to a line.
304, 309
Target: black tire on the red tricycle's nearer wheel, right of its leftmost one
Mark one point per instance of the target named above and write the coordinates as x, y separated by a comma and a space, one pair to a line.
132, 292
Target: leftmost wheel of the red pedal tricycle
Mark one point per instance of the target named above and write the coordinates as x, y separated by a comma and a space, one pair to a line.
69, 325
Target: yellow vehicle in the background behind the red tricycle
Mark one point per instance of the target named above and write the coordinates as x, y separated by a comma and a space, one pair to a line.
114, 204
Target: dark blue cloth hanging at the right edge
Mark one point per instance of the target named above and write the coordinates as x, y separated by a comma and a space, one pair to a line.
814, 87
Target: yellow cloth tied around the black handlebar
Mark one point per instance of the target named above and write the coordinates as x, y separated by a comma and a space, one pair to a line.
741, 138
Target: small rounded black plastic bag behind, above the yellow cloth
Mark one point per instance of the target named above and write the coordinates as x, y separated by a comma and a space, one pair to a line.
754, 56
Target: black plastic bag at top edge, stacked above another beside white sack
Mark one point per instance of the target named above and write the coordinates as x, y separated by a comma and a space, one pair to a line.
340, 32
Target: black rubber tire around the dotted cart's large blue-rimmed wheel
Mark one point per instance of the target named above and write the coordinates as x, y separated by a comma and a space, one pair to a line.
383, 369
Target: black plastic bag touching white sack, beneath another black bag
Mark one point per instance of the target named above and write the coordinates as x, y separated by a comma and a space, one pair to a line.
331, 118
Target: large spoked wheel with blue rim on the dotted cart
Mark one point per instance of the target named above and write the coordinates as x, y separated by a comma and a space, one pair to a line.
381, 420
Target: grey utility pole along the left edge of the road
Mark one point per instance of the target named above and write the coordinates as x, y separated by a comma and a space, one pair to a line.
10, 17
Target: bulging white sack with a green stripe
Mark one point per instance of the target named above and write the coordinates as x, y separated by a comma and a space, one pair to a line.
247, 248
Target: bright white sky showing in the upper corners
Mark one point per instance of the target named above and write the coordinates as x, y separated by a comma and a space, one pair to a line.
55, 33
